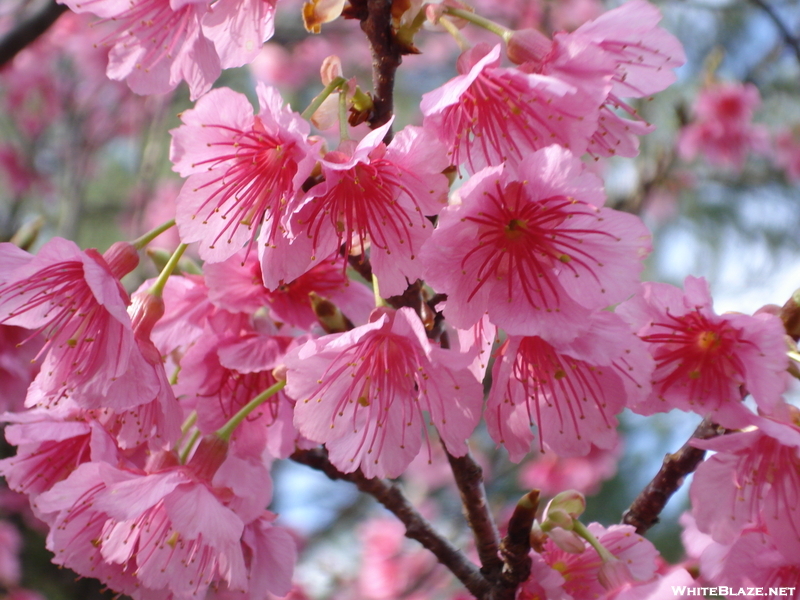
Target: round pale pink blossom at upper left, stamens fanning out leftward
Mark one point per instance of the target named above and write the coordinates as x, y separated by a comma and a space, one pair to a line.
242, 170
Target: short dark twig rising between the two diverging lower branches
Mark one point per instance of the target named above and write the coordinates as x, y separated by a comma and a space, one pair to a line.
469, 478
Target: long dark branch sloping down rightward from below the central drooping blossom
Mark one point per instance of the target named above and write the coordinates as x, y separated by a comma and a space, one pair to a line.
417, 527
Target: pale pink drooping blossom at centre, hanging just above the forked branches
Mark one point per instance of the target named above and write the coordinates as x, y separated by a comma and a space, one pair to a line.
362, 393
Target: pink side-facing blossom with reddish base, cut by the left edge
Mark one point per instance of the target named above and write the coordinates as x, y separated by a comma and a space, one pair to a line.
76, 299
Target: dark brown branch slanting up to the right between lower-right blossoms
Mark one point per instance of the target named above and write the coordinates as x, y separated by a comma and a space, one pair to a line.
643, 512
